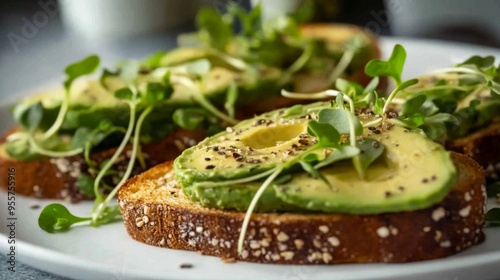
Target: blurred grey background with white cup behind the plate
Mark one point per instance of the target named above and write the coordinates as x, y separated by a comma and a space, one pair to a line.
39, 37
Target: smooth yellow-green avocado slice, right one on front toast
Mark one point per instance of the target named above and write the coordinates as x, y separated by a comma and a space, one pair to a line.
413, 173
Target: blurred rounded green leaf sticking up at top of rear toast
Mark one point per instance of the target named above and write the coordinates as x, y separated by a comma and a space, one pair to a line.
217, 33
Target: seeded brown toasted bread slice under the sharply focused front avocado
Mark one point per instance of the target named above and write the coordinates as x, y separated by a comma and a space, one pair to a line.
156, 212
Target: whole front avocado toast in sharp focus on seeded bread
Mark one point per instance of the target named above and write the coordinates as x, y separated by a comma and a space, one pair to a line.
414, 201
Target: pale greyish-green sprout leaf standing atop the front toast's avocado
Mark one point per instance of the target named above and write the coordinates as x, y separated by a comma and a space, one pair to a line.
339, 119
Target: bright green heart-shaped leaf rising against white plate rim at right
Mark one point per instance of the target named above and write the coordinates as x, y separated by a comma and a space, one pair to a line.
392, 68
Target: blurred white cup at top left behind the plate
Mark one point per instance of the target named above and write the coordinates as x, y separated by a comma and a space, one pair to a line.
111, 19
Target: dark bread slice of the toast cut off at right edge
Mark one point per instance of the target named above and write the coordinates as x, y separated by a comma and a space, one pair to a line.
482, 146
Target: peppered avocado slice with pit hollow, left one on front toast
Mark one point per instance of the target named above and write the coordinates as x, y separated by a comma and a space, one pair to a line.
249, 148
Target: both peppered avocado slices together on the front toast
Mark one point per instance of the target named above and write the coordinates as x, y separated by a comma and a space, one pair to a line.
412, 173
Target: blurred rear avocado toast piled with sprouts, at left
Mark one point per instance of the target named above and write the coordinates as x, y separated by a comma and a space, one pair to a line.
184, 94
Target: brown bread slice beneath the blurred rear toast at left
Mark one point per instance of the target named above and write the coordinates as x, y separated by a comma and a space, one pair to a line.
56, 177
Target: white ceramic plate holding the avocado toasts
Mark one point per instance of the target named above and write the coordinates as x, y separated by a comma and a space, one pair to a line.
108, 253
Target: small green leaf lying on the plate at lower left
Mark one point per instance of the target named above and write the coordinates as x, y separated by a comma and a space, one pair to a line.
57, 218
